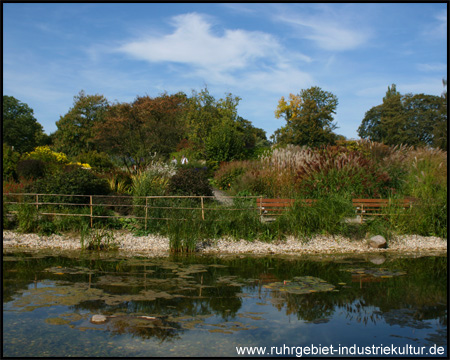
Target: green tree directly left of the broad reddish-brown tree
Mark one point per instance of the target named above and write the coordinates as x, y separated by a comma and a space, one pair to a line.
75, 129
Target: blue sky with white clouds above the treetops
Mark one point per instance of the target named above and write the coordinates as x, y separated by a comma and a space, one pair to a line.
259, 52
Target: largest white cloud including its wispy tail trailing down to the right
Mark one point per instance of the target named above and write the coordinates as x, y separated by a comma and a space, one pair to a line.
237, 58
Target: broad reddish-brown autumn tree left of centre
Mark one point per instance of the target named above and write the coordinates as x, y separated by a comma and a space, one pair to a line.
135, 132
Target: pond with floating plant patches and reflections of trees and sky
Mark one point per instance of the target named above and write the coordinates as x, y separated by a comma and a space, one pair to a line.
210, 305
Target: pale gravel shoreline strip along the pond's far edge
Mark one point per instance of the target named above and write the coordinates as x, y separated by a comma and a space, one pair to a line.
153, 245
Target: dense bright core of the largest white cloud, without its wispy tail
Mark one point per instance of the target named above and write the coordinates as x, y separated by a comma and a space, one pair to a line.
194, 43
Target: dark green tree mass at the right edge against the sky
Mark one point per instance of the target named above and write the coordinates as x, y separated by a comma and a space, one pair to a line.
405, 119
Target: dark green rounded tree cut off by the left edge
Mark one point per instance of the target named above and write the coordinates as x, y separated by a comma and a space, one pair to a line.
20, 129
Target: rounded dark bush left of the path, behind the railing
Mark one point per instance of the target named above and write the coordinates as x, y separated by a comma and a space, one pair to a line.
191, 181
